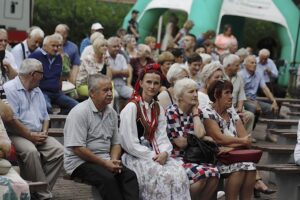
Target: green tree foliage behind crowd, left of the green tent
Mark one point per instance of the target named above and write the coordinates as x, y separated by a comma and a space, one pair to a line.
79, 15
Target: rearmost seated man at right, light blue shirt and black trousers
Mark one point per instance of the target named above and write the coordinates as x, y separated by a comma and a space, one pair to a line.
268, 70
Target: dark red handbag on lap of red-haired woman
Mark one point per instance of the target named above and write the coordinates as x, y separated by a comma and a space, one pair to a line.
240, 155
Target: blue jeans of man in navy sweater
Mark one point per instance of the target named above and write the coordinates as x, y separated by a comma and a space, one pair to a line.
65, 102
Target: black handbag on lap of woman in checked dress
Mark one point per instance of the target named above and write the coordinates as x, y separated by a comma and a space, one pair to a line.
200, 151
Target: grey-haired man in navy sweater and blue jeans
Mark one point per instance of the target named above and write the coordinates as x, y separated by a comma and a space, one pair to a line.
52, 67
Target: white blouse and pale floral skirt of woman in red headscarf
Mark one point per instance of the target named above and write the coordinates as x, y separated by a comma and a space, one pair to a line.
156, 181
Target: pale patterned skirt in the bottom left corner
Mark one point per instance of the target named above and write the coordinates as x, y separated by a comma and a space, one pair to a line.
13, 187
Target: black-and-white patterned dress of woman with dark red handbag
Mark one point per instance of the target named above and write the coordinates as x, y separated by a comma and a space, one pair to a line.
227, 128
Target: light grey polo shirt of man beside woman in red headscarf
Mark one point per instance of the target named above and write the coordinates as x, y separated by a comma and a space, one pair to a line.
87, 127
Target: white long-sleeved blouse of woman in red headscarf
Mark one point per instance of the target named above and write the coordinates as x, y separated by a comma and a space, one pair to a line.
129, 134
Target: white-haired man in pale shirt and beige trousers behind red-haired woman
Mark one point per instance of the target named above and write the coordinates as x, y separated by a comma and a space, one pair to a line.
231, 65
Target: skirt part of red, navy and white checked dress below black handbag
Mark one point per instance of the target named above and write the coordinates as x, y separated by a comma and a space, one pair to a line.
196, 172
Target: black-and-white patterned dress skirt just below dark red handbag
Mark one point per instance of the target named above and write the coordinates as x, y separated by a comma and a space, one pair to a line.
235, 167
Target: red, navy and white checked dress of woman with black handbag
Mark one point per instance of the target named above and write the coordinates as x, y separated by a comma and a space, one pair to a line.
181, 124
